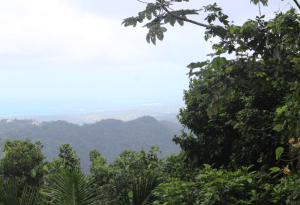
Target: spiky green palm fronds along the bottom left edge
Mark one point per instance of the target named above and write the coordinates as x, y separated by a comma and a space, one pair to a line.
70, 187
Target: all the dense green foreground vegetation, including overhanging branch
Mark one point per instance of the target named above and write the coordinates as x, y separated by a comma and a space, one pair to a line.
243, 115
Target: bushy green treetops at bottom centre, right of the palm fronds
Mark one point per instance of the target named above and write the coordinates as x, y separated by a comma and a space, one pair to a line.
130, 177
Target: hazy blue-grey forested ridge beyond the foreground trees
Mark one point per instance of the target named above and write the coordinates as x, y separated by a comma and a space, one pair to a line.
110, 136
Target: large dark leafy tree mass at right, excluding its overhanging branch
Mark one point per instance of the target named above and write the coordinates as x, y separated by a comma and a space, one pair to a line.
242, 94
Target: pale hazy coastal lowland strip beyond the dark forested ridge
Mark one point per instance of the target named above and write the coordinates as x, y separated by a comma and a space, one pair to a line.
80, 113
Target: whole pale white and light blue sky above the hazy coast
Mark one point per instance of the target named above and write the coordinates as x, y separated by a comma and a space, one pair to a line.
63, 51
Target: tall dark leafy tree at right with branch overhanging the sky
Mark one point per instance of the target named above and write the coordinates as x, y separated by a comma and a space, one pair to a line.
263, 89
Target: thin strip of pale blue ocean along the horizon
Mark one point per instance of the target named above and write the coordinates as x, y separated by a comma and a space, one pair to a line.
17, 108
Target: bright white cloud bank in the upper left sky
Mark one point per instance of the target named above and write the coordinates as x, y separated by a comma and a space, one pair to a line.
36, 32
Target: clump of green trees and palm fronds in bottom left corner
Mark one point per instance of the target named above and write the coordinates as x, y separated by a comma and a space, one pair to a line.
66, 183
